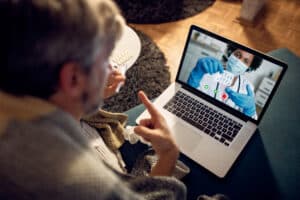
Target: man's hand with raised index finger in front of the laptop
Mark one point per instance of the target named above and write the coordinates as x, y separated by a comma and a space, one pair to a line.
156, 131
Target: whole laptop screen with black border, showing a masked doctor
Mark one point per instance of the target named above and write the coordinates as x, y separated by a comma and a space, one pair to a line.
235, 76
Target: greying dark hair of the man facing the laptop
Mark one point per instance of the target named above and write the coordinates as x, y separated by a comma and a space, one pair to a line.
39, 36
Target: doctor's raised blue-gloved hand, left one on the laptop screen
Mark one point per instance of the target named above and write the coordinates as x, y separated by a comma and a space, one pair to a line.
204, 65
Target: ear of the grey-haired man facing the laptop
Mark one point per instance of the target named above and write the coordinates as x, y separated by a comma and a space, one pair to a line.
72, 79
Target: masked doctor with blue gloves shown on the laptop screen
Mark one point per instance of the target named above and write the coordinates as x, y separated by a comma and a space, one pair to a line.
228, 84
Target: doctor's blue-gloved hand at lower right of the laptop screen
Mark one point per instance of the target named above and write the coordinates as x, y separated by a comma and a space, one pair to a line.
244, 101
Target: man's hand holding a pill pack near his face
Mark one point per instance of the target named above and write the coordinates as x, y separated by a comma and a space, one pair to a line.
115, 78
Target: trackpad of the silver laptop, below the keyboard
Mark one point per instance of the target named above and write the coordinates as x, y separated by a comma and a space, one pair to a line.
186, 138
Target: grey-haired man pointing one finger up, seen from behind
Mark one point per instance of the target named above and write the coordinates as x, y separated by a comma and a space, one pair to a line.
53, 70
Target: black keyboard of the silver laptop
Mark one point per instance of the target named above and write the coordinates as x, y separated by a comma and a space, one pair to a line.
210, 121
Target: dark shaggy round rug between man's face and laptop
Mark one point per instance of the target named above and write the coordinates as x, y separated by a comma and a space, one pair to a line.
149, 73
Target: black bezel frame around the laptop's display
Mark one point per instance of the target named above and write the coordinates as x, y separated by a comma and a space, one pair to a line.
240, 46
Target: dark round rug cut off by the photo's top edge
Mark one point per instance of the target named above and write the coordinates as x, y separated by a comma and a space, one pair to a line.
160, 11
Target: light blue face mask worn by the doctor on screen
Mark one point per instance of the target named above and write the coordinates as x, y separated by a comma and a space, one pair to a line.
235, 66
